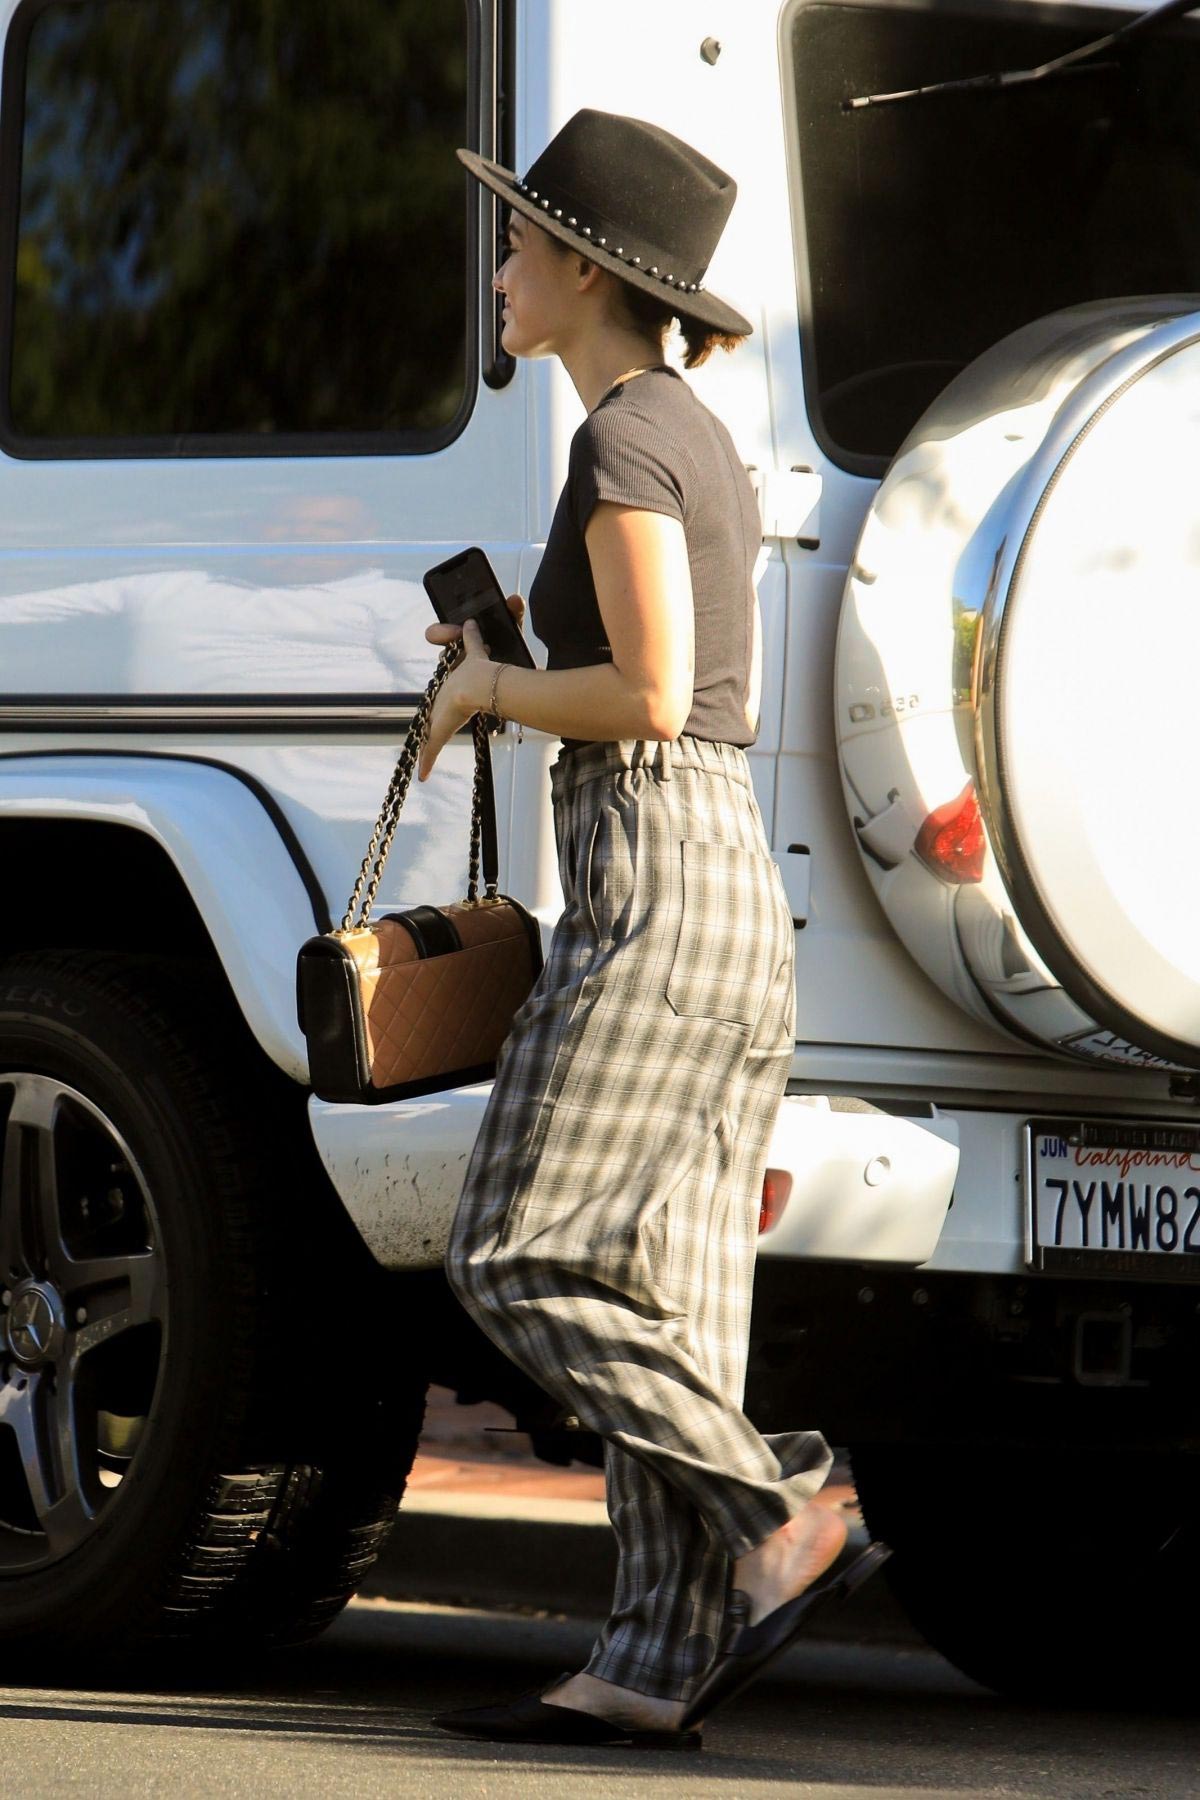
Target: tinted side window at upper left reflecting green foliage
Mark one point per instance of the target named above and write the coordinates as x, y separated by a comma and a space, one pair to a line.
242, 217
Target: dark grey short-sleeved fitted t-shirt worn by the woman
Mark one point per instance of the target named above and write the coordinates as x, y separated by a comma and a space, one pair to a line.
652, 444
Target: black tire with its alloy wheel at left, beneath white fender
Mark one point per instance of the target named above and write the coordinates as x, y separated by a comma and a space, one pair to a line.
197, 1507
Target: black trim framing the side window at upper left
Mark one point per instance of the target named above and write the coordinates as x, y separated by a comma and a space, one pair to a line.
258, 445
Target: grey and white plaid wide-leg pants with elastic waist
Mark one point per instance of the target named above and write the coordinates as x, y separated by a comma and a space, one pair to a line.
607, 1228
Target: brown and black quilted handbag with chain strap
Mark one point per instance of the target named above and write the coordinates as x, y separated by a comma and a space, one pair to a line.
418, 1000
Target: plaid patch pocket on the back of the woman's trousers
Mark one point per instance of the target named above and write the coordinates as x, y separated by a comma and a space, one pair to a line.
728, 946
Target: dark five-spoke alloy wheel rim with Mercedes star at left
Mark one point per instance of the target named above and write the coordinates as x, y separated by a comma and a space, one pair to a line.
82, 1318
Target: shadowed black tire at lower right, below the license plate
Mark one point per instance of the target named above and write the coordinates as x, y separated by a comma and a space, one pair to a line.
1066, 1576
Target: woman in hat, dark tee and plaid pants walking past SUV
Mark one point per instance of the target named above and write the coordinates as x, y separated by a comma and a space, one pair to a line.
607, 1228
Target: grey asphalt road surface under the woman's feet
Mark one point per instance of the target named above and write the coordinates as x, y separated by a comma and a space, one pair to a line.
348, 1716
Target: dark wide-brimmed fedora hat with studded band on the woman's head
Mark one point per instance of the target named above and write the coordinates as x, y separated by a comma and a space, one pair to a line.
632, 199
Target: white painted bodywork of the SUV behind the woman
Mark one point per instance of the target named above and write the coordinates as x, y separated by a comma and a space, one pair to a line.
292, 588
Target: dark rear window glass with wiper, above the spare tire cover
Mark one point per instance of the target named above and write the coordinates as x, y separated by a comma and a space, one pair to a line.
936, 226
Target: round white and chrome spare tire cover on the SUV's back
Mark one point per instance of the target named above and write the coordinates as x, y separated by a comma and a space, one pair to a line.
1017, 667
